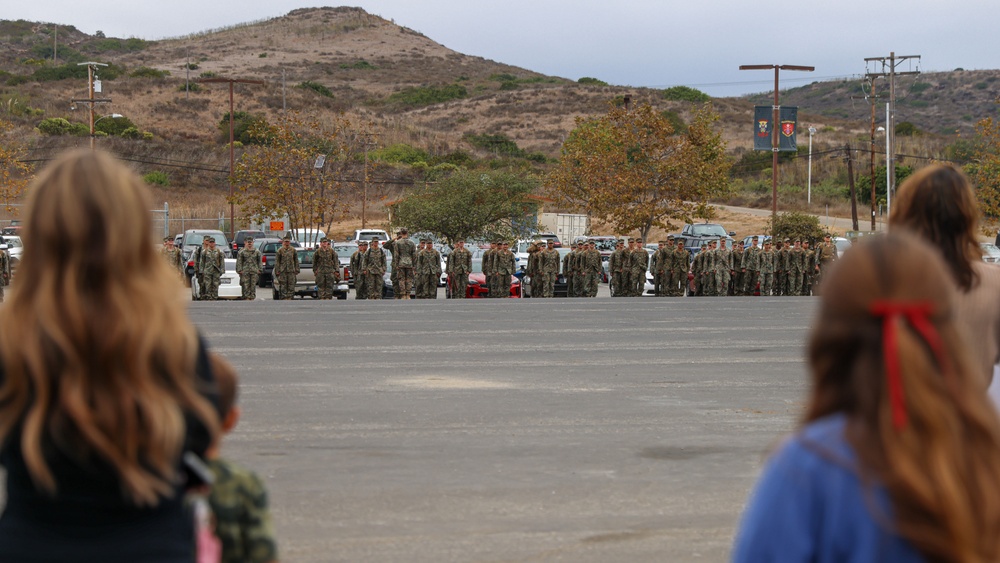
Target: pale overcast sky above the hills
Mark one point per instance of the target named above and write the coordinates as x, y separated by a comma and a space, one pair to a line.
654, 43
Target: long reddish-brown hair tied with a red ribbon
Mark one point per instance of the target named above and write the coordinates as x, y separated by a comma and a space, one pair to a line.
942, 466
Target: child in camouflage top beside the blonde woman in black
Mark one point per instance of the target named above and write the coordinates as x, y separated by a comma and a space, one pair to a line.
238, 497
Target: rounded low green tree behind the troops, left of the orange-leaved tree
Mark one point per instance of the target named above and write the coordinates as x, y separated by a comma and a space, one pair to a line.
468, 204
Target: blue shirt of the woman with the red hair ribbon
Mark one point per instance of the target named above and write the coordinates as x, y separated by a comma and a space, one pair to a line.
810, 505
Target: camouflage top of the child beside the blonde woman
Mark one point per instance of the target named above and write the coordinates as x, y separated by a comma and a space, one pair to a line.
242, 519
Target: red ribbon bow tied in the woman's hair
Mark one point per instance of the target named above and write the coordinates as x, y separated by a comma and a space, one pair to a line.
918, 314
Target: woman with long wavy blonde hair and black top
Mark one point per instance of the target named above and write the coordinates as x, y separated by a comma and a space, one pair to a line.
104, 382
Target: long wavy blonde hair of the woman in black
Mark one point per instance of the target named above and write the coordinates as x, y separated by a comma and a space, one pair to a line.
98, 353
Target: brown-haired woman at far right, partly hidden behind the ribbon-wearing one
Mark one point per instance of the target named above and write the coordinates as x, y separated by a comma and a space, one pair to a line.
938, 203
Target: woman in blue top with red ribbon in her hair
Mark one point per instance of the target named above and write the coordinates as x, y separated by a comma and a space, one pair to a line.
898, 457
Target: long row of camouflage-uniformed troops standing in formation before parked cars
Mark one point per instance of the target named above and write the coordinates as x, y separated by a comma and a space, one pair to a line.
785, 268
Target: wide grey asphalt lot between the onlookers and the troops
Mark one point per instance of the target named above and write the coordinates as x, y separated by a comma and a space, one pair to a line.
583, 430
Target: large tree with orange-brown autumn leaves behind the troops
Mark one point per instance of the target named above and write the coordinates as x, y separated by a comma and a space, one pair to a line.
629, 169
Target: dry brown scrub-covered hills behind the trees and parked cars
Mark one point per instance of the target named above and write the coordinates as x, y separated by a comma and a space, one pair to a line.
323, 62
